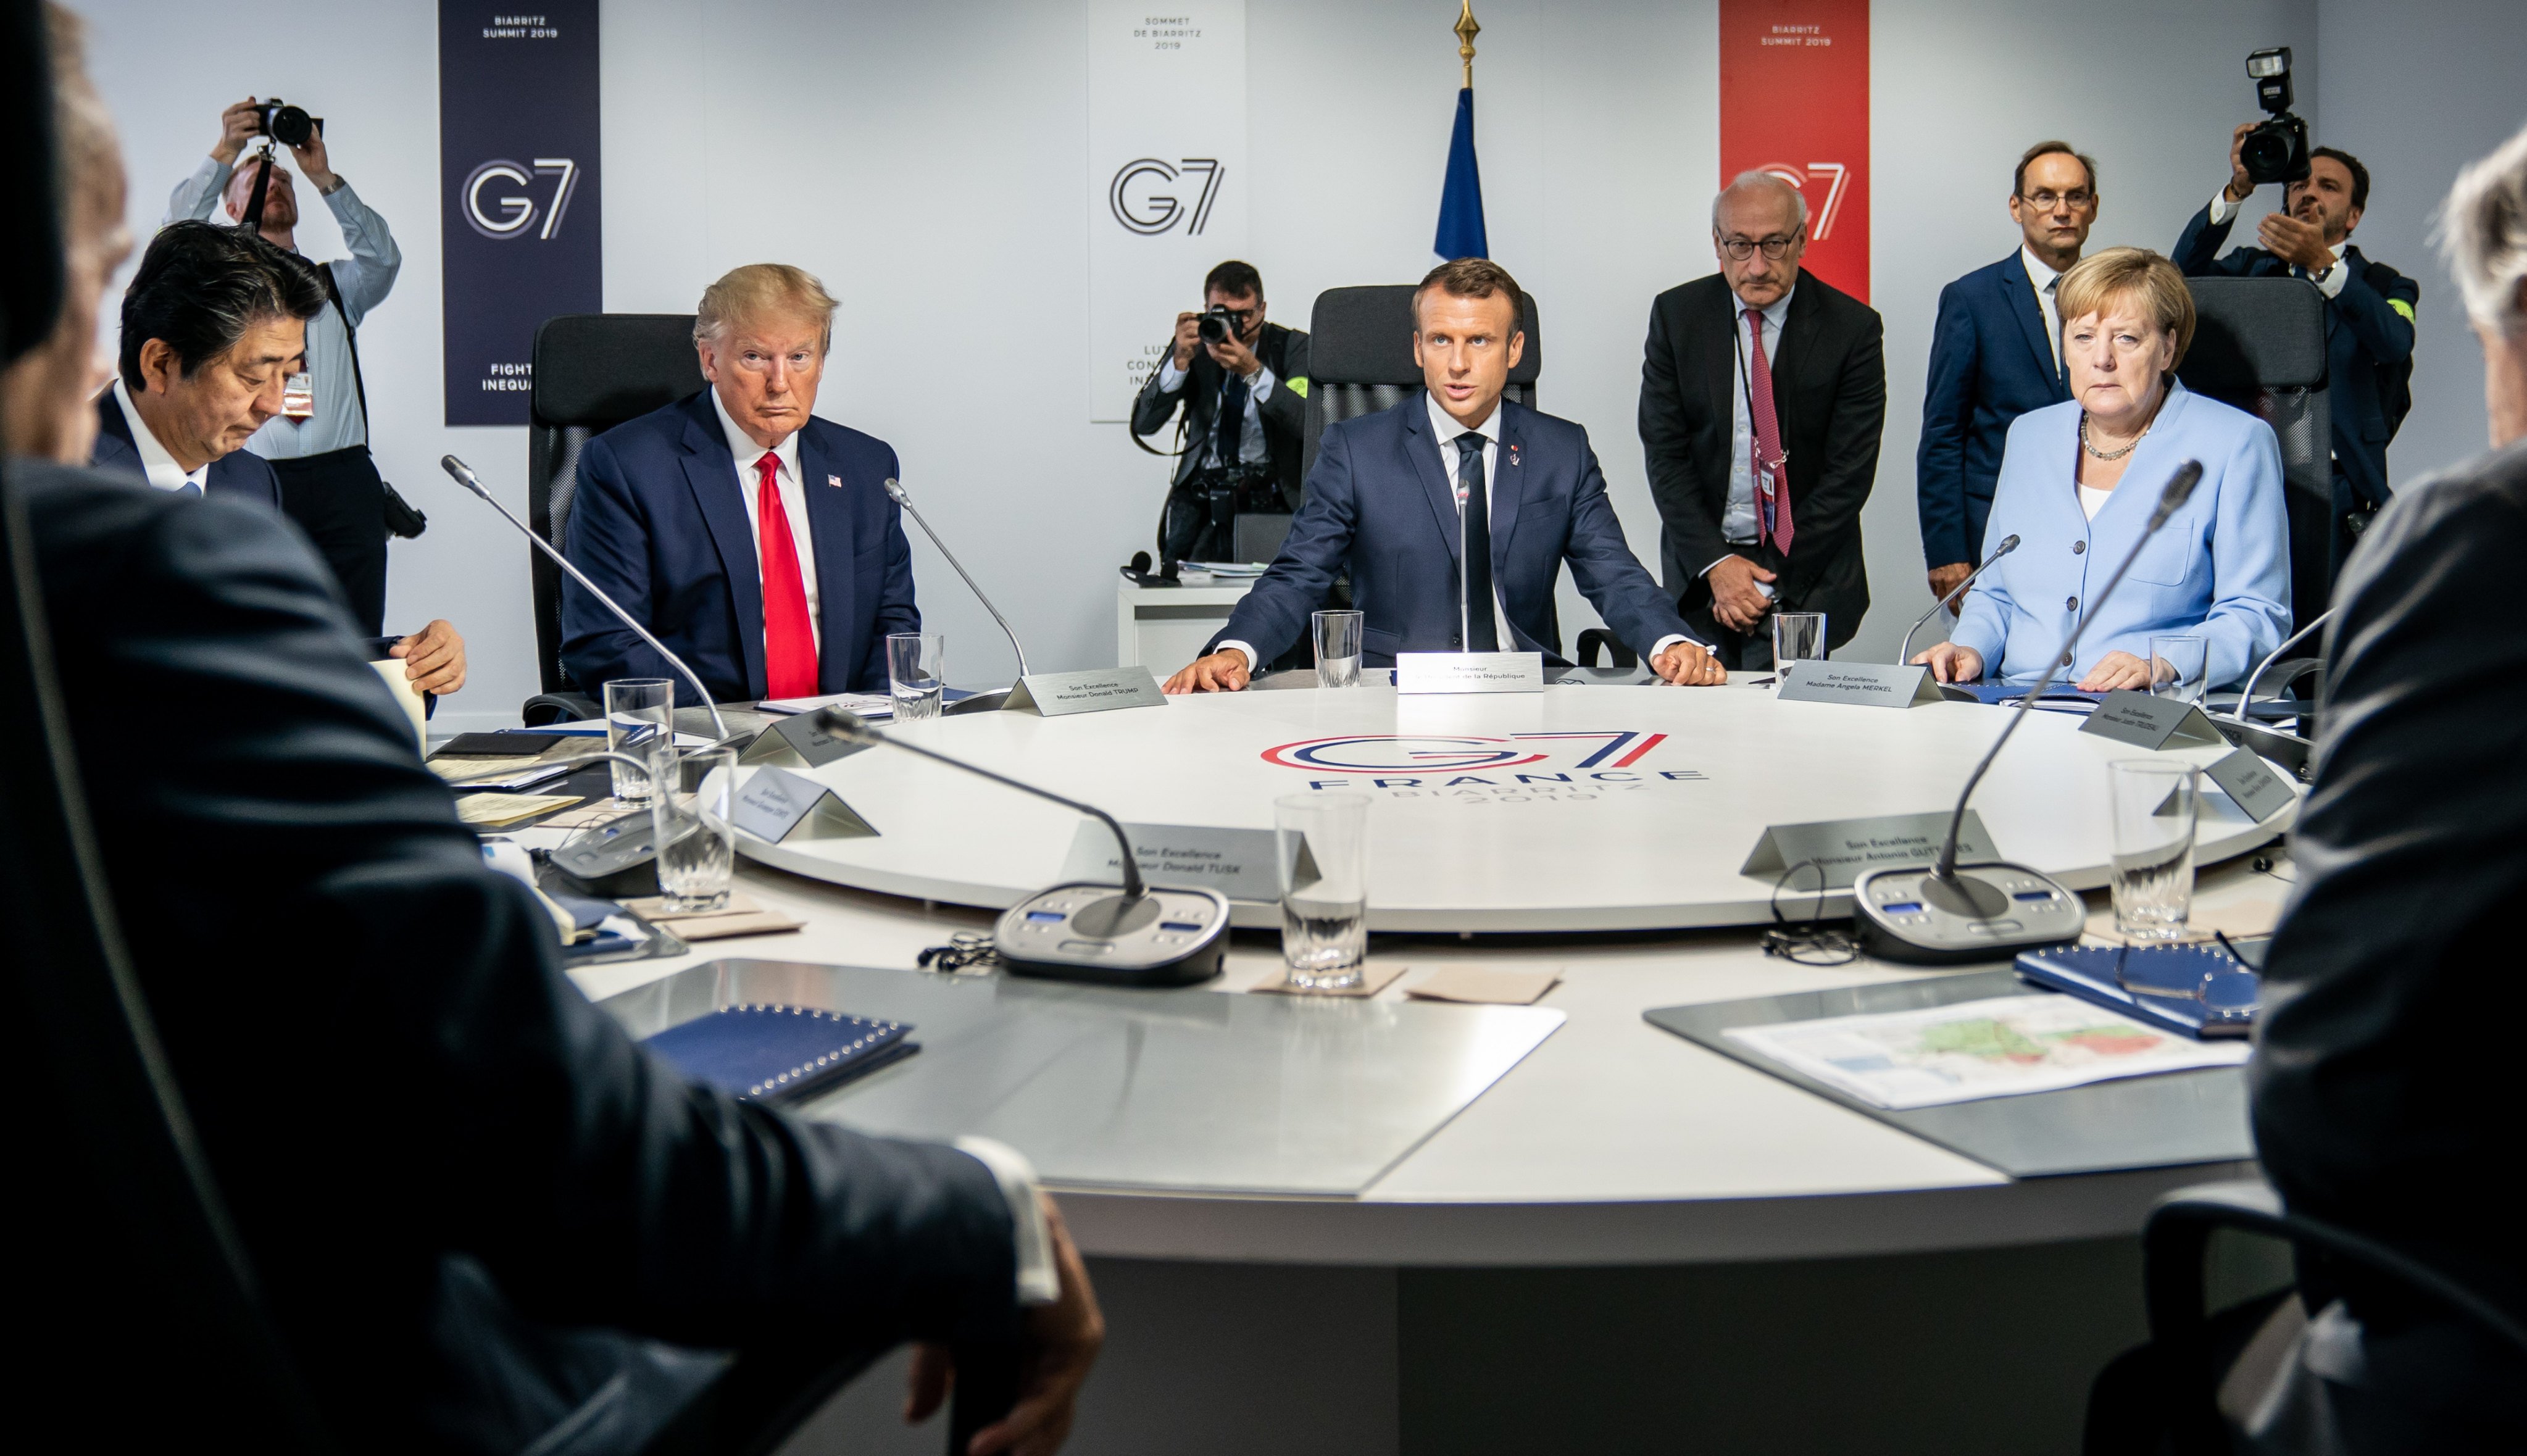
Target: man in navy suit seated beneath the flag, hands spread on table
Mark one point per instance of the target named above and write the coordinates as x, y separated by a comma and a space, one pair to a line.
1454, 514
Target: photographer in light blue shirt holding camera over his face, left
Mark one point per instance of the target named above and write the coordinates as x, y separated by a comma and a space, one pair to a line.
320, 444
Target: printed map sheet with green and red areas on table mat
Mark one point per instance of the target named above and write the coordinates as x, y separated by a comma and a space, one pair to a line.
1995, 1048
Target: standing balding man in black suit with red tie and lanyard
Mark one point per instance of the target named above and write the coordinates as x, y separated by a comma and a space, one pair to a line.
1763, 459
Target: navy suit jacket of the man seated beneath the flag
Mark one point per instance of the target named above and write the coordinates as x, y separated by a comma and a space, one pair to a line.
1381, 504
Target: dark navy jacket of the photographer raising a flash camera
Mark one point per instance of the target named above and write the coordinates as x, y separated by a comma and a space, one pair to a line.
2369, 325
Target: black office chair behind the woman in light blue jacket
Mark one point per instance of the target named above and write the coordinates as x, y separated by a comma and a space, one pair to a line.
2260, 345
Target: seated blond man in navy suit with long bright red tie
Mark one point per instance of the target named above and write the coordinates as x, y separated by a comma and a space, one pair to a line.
754, 540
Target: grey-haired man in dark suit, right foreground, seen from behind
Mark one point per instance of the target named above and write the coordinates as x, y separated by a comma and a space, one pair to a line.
2374, 1106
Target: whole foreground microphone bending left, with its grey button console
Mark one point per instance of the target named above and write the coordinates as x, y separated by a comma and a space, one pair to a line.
1085, 931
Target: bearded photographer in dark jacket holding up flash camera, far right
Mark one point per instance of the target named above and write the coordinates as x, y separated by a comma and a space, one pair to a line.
2369, 337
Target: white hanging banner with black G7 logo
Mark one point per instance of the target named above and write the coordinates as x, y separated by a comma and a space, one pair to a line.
1166, 188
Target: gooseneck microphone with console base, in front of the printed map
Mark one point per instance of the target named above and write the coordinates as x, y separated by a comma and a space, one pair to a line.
1942, 916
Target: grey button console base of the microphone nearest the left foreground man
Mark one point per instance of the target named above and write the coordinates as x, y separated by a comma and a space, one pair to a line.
1098, 934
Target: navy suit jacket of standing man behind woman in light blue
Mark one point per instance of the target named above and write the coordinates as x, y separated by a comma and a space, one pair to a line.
1990, 363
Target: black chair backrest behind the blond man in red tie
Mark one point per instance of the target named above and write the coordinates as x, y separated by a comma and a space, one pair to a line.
593, 373
